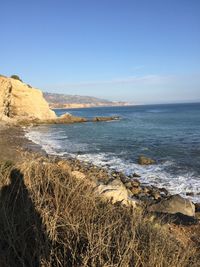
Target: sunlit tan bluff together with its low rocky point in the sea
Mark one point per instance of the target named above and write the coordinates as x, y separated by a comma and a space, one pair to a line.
22, 104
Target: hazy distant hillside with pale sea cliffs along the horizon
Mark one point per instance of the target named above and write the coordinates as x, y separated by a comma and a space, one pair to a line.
76, 101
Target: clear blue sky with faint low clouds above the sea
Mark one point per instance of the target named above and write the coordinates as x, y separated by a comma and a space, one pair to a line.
145, 51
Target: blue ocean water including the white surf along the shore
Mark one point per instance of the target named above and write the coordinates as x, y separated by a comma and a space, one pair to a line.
170, 134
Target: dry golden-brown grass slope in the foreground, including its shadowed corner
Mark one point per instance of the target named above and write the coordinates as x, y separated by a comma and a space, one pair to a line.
50, 219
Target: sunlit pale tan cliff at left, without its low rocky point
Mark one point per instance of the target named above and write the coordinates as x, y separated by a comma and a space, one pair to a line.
19, 101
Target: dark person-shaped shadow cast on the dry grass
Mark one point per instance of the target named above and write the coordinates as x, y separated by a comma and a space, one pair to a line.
23, 240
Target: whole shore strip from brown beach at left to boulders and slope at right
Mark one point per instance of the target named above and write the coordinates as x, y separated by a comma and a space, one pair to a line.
180, 216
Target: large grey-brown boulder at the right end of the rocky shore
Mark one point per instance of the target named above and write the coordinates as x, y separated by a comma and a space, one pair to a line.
174, 204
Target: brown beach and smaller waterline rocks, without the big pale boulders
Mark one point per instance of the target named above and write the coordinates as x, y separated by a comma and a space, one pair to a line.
14, 144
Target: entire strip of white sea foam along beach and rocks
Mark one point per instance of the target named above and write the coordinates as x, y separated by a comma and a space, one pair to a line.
57, 143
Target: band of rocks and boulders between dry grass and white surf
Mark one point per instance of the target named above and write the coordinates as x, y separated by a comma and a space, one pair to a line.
130, 191
